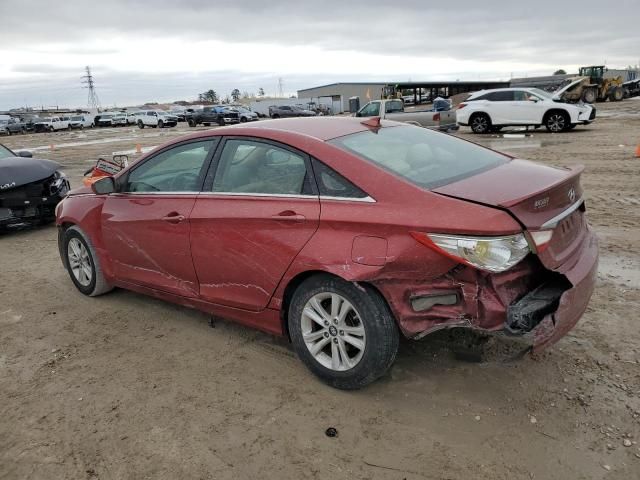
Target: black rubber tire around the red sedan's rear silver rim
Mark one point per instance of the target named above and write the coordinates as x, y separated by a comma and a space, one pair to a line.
370, 312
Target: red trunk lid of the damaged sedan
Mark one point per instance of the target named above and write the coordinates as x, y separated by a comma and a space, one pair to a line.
539, 196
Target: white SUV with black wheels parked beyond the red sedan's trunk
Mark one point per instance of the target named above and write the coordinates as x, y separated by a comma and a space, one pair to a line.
490, 110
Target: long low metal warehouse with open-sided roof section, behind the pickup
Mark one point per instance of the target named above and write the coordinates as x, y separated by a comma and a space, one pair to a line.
337, 94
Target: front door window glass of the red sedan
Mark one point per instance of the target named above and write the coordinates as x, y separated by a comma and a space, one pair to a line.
179, 169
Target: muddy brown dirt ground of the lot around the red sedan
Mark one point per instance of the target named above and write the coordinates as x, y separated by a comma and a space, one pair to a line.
128, 387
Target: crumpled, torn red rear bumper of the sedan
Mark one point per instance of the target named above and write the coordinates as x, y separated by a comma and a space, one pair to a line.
529, 301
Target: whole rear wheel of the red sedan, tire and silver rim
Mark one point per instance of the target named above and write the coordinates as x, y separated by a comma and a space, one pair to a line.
345, 334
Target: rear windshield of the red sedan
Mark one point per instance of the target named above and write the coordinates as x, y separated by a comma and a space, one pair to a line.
423, 157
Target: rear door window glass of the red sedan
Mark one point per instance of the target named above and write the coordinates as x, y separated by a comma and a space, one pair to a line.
248, 166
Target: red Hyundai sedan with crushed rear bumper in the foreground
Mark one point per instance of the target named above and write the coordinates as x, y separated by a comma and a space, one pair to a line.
341, 234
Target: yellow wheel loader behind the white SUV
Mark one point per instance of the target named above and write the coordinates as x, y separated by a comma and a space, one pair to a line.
591, 85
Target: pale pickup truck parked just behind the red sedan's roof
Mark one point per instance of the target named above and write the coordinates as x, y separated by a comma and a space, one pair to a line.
394, 110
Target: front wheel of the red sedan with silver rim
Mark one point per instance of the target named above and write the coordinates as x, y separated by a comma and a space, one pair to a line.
83, 264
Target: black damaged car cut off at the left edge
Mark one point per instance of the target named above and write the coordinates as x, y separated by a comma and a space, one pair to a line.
30, 189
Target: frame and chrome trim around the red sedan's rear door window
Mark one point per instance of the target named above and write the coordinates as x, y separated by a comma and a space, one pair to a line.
215, 163
